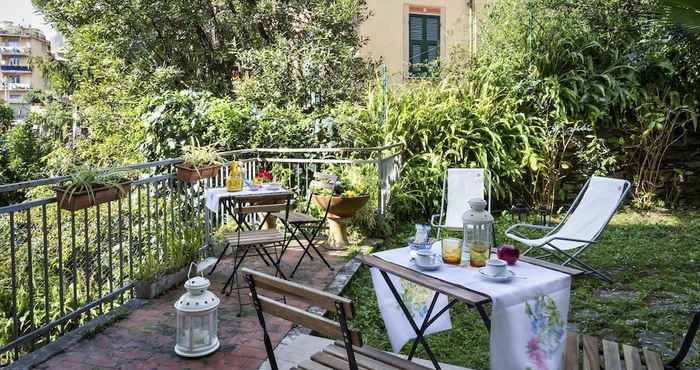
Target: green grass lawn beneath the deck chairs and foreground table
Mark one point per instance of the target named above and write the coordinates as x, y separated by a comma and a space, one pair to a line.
653, 257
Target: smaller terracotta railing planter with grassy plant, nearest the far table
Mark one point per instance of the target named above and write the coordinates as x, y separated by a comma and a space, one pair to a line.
198, 162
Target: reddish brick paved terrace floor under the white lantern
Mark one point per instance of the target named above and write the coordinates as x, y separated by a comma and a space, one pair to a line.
145, 339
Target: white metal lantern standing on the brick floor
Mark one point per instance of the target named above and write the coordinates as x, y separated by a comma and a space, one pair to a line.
197, 321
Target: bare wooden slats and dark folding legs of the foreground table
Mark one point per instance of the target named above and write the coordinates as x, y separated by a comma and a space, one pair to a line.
455, 293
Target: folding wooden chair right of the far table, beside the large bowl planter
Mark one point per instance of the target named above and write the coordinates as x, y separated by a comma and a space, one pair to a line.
306, 224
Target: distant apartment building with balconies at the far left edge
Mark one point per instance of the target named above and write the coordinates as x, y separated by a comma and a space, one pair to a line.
18, 45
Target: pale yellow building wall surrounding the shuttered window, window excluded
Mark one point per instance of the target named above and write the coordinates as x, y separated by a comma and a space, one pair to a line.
387, 30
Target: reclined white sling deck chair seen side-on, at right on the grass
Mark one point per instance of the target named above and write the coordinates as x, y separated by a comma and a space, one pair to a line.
583, 224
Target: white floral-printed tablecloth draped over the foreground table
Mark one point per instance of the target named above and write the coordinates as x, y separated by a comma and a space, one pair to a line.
528, 318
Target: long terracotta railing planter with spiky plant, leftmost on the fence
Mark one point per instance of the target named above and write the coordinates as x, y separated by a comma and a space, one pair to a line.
87, 187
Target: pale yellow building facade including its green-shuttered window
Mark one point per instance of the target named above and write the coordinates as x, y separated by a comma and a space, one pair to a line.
410, 36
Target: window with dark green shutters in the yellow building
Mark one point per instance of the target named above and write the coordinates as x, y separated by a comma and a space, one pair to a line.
423, 43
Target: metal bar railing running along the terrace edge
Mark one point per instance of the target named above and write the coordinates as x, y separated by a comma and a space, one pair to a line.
62, 268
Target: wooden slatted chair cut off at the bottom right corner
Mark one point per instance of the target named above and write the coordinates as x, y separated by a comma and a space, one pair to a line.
589, 353
